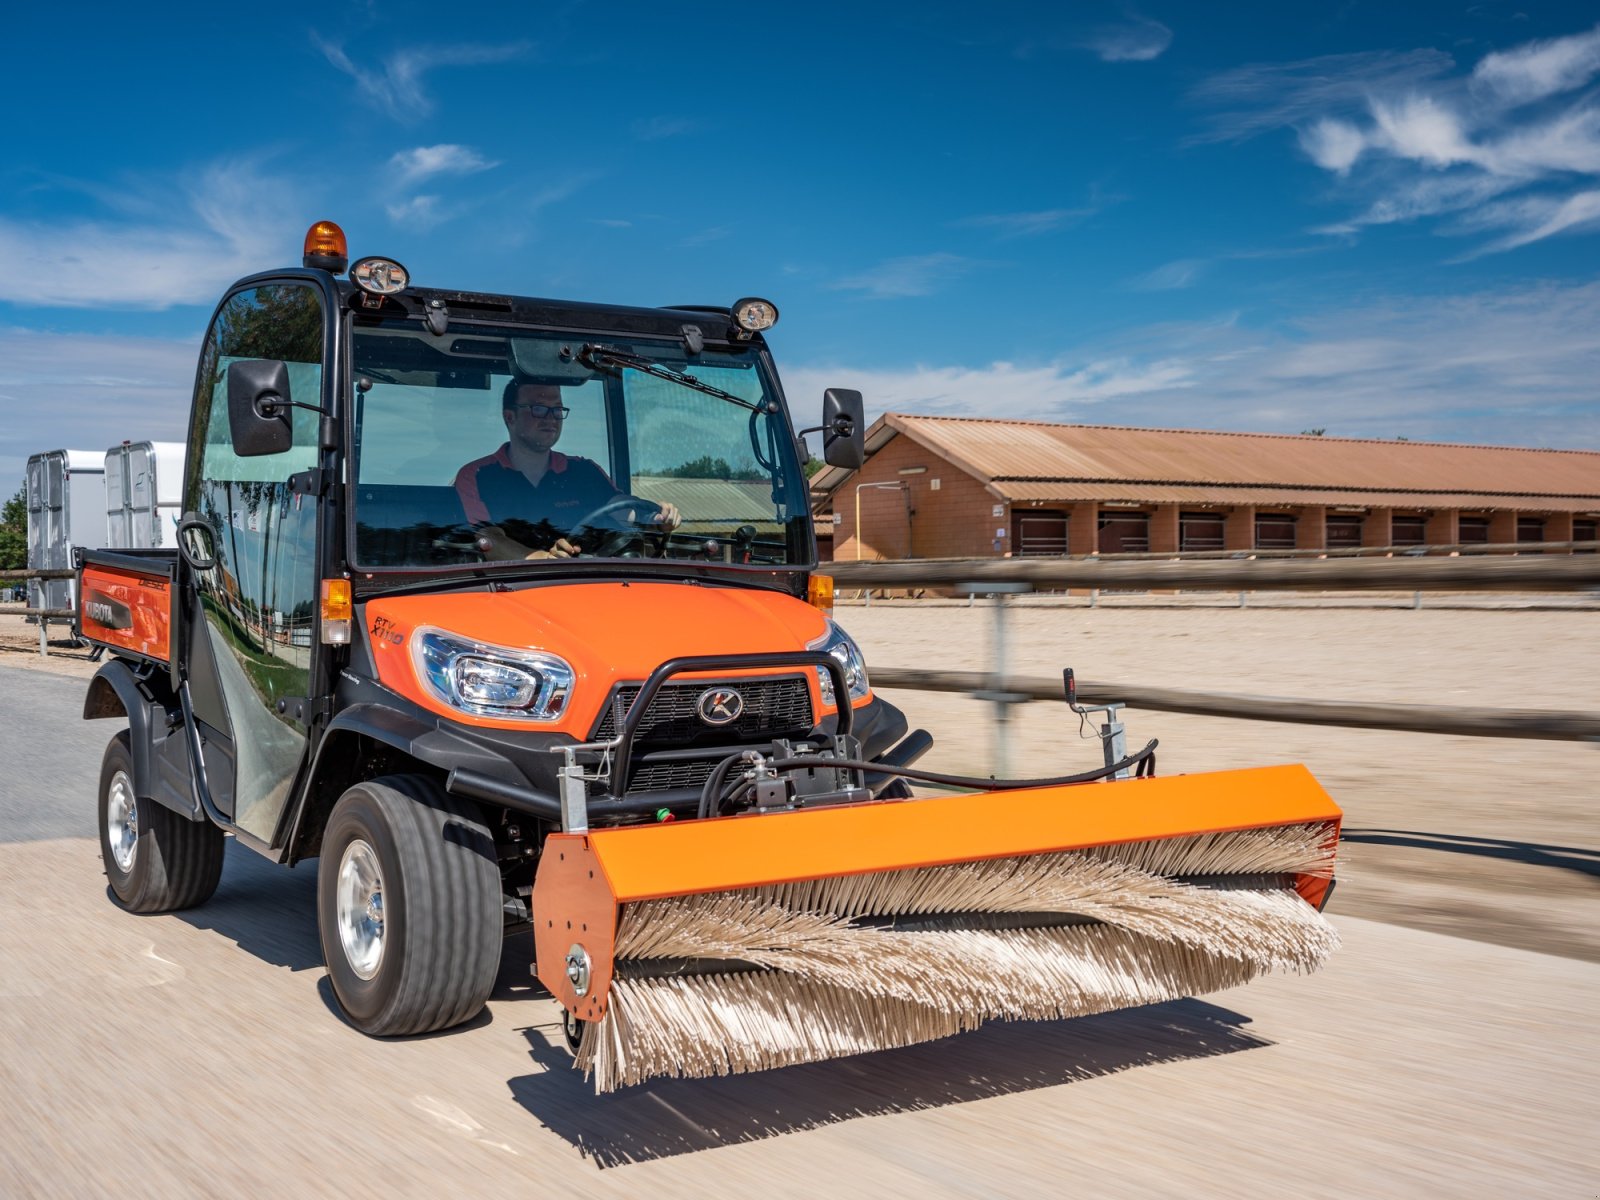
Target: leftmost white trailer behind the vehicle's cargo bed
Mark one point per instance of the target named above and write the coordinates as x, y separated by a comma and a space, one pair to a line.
66, 508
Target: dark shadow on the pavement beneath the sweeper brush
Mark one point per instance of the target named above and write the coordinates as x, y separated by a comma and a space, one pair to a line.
673, 1118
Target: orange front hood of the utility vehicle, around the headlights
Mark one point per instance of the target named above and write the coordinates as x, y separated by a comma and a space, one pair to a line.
610, 633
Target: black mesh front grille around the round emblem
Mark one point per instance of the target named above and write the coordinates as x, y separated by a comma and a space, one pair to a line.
772, 706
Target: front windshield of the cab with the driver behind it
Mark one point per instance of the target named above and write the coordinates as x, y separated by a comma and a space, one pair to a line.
492, 446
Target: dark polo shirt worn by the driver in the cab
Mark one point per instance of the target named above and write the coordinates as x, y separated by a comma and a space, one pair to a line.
494, 492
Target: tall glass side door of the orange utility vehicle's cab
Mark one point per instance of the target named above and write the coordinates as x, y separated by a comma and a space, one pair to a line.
252, 638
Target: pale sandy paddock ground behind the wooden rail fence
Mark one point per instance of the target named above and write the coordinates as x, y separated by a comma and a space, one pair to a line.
1481, 838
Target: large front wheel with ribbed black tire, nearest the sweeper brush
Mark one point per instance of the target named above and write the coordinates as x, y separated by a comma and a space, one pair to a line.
409, 906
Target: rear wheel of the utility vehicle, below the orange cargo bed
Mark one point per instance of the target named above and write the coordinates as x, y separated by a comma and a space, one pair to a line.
156, 860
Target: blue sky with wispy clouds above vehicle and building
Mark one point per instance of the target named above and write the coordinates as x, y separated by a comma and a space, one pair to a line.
1382, 220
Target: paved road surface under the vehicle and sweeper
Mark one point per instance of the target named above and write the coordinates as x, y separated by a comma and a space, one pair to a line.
199, 1055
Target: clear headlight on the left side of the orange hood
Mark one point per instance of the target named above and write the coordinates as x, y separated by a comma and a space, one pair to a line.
492, 681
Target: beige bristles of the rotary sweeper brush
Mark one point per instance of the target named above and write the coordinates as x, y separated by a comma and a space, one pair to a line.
820, 969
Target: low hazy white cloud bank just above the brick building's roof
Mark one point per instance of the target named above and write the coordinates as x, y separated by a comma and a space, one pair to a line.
1497, 369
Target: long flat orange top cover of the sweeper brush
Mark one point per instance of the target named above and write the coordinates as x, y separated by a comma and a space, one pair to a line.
745, 852
